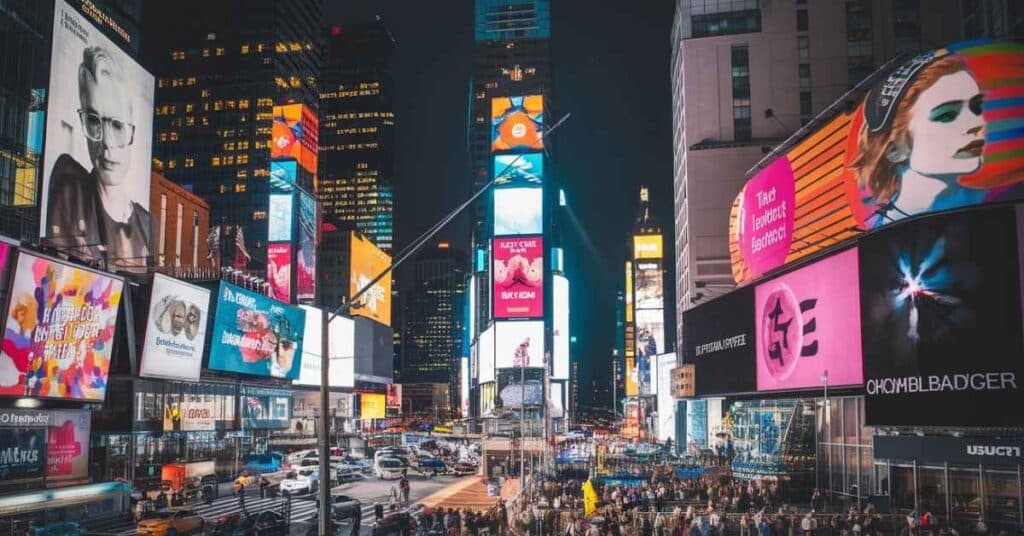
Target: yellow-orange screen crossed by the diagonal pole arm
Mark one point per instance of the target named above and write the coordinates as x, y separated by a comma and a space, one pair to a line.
367, 263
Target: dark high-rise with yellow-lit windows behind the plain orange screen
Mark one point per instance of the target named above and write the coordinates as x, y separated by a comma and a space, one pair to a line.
357, 131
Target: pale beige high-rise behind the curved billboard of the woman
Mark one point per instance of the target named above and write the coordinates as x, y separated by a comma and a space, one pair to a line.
746, 75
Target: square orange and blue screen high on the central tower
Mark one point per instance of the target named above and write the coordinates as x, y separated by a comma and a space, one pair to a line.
518, 123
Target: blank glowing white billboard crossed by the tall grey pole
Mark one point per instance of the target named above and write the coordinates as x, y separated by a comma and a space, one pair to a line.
342, 350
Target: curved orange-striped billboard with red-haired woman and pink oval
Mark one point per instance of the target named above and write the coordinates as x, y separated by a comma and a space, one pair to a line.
861, 172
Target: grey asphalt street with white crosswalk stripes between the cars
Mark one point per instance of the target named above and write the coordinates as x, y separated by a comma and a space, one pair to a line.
305, 507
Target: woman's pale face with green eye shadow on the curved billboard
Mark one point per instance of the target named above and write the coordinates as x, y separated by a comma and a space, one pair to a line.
947, 128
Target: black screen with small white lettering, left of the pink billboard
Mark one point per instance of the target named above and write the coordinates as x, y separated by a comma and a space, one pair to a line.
718, 341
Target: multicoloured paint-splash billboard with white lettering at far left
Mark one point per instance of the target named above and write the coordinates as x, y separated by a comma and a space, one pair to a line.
60, 332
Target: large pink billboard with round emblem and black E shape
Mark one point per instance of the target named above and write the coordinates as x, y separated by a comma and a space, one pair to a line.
807, 324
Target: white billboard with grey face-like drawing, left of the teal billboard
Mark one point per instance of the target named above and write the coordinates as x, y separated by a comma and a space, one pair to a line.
176, 332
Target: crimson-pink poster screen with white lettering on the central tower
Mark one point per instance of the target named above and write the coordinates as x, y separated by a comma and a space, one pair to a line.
519, 277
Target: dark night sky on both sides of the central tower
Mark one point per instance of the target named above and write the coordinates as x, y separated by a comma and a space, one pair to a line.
613, 65
